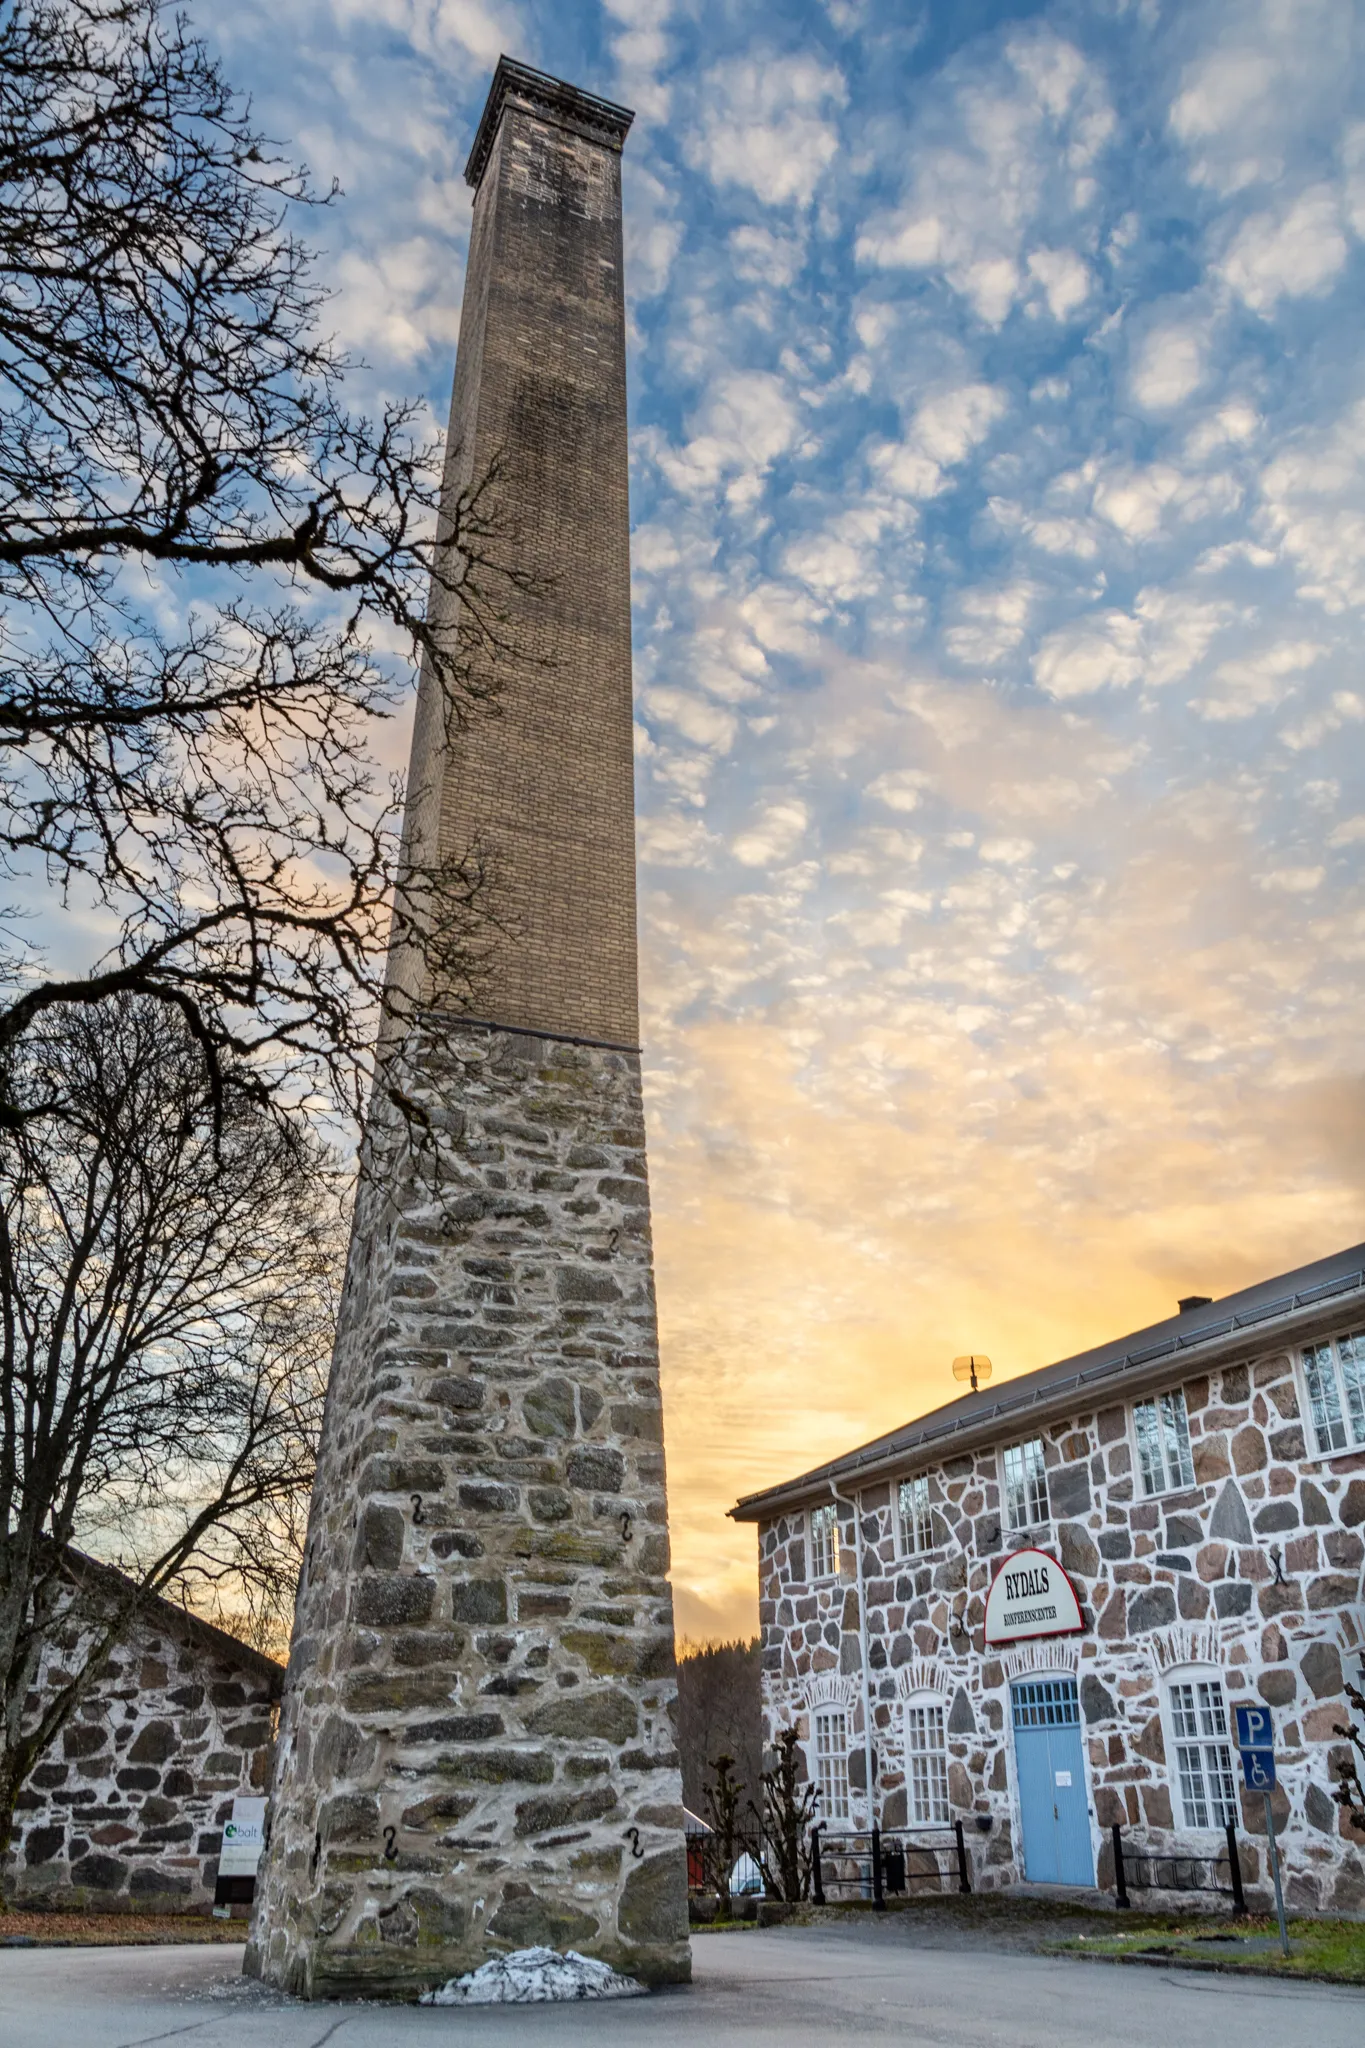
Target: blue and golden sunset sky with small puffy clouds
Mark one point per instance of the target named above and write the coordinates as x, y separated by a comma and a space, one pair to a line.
1000, 544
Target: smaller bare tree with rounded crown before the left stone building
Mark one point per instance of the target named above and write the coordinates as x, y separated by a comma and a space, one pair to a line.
167, 1302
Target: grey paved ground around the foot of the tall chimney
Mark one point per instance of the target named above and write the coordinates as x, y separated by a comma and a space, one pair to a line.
764, 1990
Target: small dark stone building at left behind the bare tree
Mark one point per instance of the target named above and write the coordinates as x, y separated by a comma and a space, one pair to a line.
128, 1809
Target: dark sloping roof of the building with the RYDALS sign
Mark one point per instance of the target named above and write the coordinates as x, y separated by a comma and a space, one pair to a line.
1284, 1308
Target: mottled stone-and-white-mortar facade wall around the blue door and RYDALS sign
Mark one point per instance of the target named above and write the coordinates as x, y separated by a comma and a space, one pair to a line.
1184, 1580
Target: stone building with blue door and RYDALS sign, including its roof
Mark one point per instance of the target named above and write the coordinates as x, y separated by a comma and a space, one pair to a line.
1202, 1486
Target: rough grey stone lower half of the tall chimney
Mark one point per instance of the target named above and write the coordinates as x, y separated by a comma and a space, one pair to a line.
478, 1738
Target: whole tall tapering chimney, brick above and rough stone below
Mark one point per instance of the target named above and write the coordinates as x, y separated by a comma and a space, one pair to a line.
478, 1740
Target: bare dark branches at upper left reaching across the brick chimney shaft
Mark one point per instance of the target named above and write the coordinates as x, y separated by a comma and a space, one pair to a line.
212, 572
